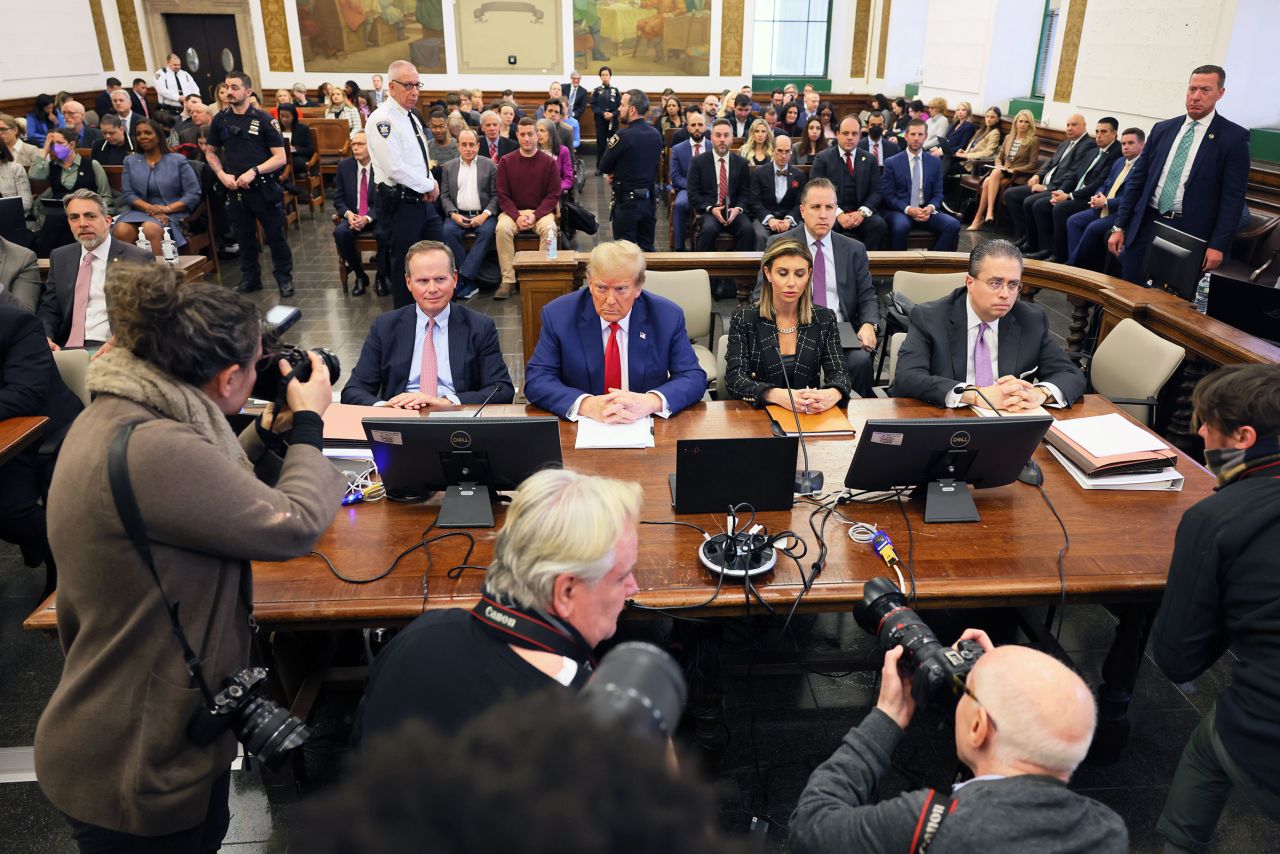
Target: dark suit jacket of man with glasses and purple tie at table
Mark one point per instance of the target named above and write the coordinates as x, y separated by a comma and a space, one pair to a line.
935, 357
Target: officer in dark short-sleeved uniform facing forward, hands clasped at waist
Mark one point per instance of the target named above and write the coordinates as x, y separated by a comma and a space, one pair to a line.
249, 154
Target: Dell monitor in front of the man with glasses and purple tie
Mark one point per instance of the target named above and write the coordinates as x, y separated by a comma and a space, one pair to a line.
943, 458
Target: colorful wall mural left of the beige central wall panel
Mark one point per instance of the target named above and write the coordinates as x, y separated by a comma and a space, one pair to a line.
365, 36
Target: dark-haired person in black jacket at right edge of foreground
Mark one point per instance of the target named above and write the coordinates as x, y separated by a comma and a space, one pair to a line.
1220, 601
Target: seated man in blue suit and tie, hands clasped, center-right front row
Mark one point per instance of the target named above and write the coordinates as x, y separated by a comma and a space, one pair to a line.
912, 188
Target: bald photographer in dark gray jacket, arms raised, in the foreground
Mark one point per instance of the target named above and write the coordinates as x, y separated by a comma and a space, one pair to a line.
1022, 727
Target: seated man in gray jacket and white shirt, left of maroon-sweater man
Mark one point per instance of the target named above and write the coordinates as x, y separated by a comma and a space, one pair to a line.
469, 195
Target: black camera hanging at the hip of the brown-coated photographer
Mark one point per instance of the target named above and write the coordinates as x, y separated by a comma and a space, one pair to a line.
264, 728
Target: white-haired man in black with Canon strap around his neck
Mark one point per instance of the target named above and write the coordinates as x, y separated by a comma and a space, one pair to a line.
561, 576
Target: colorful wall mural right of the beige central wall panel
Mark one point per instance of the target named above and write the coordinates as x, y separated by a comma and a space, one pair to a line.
652, 38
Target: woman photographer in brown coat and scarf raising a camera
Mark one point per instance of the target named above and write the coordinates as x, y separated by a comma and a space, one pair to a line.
154, 517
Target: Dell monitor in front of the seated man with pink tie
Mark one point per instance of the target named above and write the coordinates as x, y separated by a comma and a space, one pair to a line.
470, 459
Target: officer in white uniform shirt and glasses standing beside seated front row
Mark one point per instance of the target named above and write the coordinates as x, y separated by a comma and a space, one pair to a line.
406, 189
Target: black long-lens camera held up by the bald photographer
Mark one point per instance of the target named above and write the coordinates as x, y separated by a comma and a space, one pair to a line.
938, 672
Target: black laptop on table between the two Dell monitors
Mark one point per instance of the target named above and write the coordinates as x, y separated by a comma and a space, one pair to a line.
714, 474
